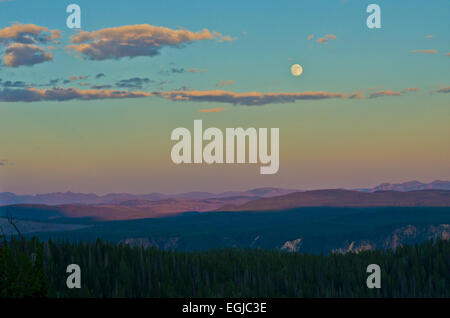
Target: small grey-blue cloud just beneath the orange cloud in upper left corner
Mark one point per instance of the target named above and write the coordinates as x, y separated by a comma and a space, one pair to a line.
18, 54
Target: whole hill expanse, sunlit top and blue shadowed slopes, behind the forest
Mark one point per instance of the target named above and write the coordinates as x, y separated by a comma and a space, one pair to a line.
310, 221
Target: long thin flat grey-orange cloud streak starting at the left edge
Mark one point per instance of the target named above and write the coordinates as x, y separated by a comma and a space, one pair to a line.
32, 94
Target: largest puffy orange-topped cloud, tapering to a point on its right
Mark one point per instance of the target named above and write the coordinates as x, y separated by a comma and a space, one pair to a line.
136, 40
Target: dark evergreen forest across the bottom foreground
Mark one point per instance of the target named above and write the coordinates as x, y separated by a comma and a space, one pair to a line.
33, 268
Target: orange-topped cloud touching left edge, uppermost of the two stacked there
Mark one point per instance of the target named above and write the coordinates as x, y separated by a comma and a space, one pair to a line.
27, 34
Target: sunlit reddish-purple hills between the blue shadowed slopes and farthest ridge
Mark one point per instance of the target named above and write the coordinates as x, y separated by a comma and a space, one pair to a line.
143, 209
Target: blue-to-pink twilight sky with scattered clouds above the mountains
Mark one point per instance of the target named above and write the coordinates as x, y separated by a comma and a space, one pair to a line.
92, 110
